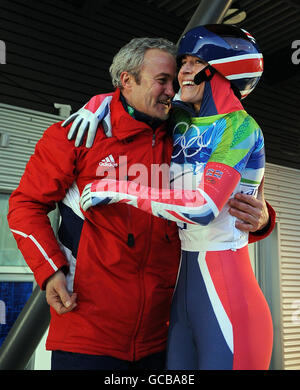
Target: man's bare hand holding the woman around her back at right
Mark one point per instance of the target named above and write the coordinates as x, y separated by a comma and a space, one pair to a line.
252, 212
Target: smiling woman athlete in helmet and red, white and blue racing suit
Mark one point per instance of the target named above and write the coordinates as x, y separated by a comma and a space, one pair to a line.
219, 316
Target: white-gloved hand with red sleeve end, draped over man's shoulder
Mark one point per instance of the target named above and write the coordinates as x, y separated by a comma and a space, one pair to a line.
87, 119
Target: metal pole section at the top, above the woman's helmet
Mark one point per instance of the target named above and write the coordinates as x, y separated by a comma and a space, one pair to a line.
208, 12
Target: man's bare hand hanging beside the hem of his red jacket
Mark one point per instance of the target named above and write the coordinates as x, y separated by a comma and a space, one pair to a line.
57, 294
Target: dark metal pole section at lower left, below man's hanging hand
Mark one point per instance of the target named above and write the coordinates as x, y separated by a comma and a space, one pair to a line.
26, 333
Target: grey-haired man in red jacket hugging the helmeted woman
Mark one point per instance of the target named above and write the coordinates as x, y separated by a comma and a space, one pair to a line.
110, 274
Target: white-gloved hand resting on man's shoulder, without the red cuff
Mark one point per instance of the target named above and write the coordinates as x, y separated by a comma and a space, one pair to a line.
84, 121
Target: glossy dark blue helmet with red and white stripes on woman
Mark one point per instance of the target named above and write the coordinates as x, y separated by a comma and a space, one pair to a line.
230, 50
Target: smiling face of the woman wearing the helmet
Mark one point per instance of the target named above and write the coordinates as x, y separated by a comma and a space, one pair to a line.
190, 92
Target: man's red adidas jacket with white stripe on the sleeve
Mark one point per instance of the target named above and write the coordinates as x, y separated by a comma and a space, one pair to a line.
121, 261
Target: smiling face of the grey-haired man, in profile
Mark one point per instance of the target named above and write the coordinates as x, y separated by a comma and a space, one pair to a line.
152, 94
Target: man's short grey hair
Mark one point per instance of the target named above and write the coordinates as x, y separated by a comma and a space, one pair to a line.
131, 56
